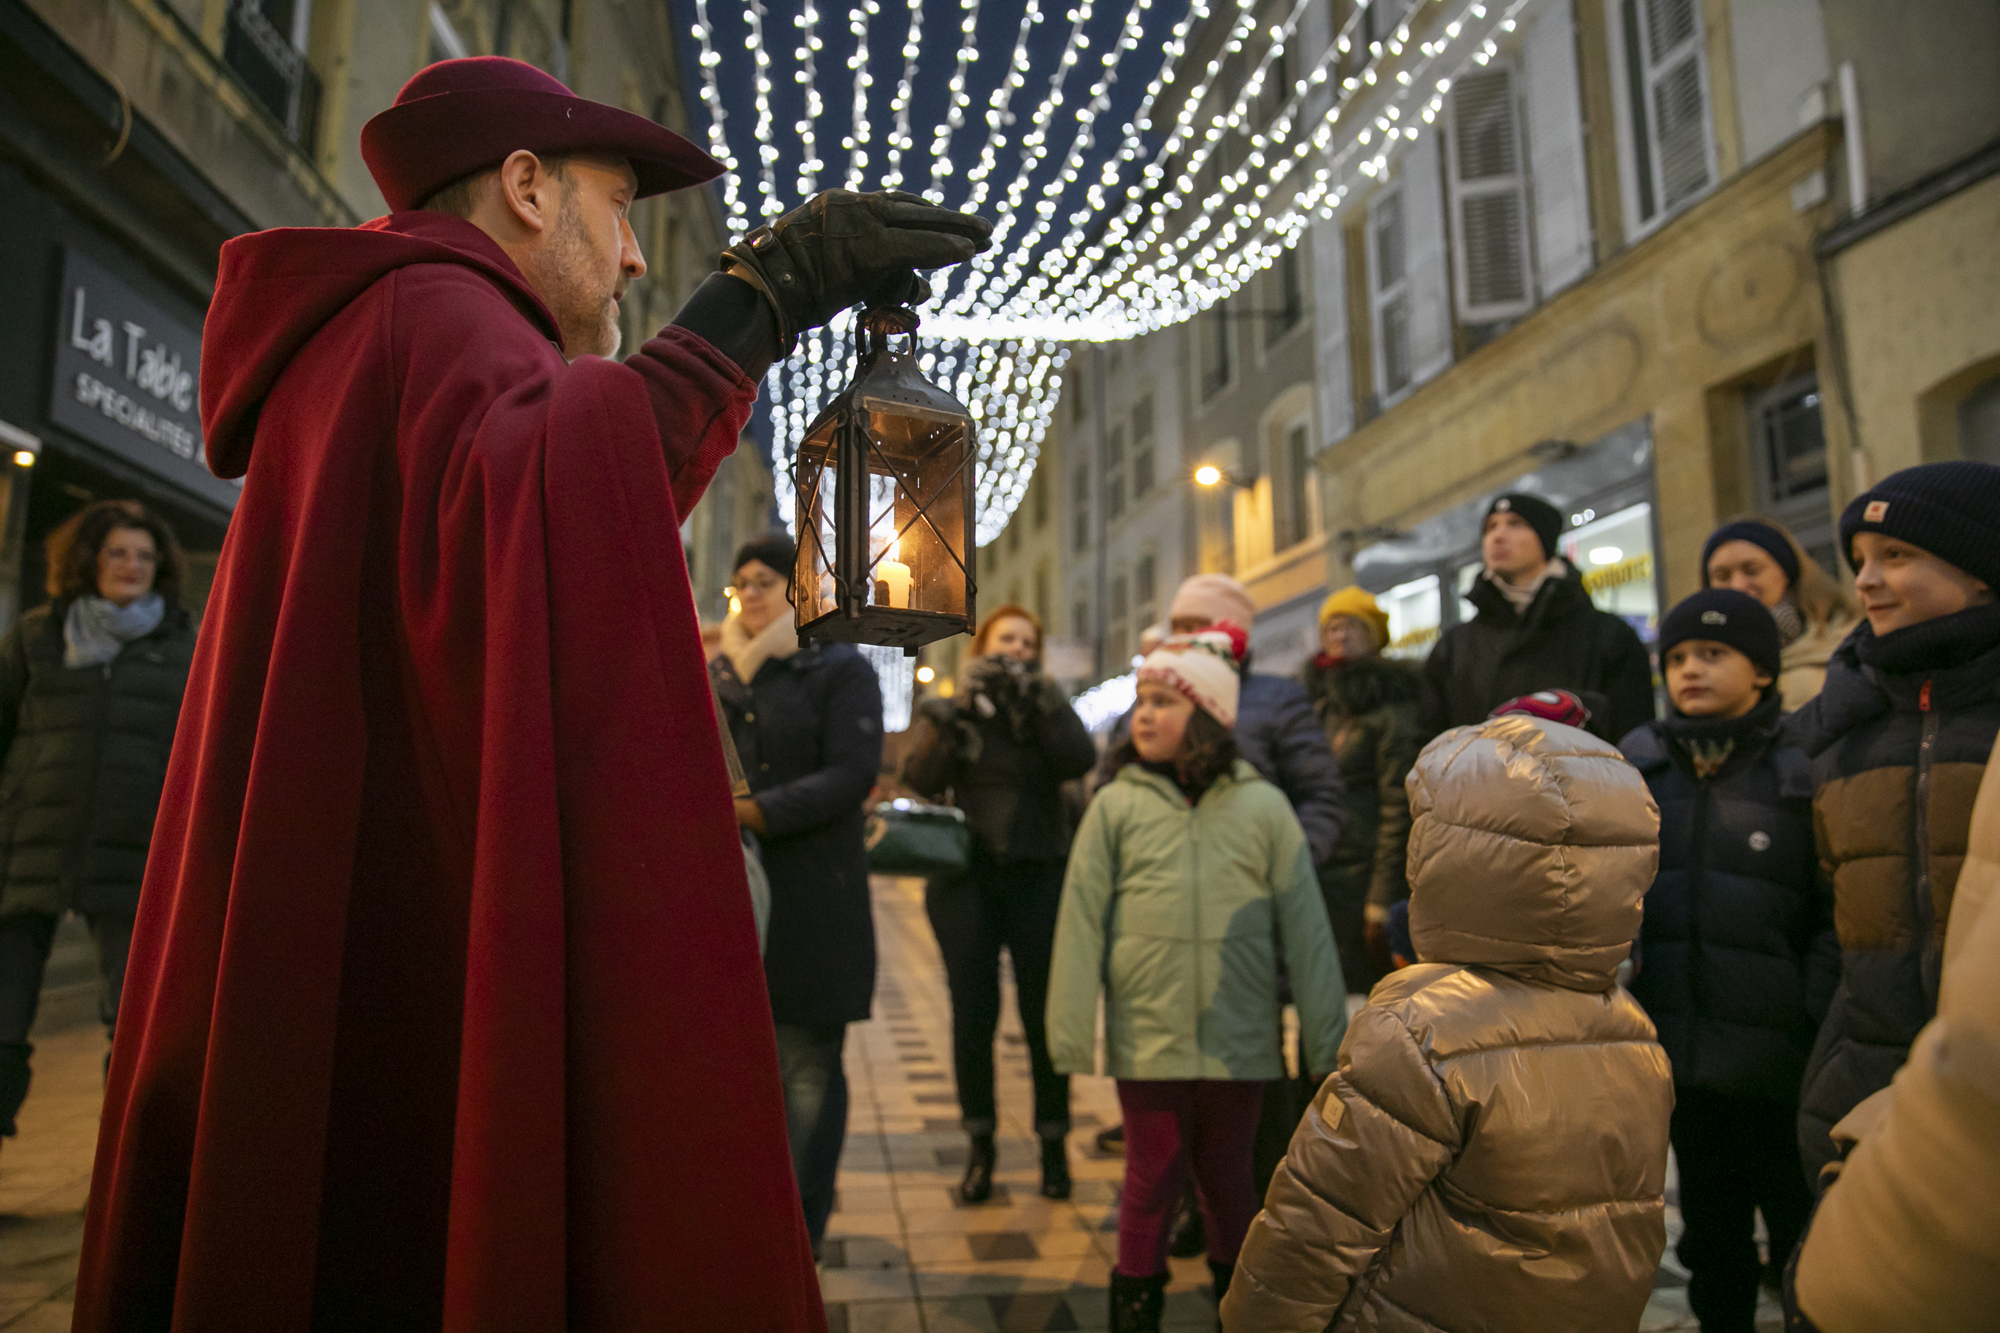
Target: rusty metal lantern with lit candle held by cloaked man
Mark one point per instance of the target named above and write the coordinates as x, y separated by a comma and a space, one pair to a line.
885, 503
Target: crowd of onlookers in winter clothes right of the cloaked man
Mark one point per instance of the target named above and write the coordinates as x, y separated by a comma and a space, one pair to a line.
1587, 928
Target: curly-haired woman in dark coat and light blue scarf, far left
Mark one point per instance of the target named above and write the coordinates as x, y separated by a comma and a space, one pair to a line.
89, 700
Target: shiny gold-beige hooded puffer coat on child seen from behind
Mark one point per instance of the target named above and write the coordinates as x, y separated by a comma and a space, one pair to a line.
1493, 1150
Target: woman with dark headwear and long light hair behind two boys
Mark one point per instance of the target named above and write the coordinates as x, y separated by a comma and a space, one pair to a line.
1813, 613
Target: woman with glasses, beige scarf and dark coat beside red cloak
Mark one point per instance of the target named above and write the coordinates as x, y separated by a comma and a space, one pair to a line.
809, 730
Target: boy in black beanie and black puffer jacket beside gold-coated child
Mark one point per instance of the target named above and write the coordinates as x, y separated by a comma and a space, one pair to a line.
1739, 958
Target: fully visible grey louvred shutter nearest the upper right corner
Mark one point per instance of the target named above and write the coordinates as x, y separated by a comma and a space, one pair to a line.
1491, 199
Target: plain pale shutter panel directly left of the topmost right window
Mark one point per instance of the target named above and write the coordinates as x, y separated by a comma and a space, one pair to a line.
1555, 123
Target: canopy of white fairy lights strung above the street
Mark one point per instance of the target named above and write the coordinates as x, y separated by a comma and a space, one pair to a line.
1161, 227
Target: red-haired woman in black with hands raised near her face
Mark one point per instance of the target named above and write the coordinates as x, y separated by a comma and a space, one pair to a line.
1003, 748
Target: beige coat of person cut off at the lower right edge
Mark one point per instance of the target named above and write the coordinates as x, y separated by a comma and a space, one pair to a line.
1909, 1238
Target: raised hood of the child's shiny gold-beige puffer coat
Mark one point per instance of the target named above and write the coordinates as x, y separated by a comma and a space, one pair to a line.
1531, 850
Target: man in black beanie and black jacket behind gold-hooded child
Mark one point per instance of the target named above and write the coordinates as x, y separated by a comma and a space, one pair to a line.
1535, 631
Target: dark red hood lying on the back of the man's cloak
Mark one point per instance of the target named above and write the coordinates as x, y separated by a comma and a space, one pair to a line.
277, 289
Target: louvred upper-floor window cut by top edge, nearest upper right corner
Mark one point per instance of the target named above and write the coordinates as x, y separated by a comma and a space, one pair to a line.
1667, 105
